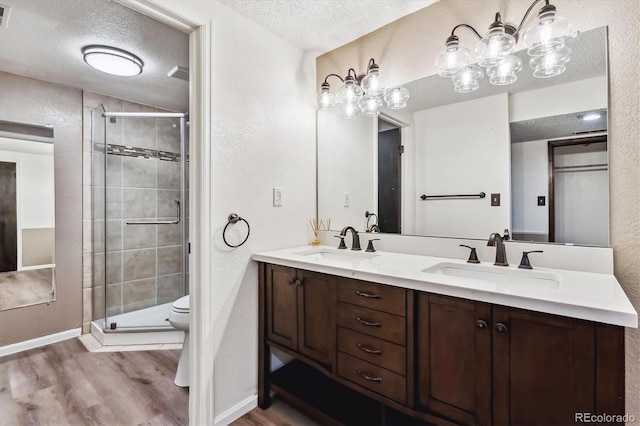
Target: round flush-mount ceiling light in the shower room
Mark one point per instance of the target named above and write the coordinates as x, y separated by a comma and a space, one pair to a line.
112, 60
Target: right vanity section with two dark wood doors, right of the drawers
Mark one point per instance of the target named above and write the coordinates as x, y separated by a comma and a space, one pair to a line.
485, 364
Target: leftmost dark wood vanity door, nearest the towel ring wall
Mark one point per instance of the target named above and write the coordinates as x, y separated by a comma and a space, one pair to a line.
282, 316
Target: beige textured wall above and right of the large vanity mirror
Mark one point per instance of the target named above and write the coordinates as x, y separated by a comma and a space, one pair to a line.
407, 49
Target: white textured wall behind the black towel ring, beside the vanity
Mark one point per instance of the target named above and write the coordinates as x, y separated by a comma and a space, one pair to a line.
262, 136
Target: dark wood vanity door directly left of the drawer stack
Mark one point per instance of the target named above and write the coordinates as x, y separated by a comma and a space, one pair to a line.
316, 316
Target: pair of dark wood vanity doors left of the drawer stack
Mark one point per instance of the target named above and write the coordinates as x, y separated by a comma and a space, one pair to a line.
300, 311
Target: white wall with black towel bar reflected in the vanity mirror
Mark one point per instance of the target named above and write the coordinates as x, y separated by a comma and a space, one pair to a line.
463, 148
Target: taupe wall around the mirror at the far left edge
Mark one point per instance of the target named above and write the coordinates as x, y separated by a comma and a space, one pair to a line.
33, 101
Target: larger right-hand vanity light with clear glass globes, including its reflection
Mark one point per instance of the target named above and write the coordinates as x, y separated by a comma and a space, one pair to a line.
545, 41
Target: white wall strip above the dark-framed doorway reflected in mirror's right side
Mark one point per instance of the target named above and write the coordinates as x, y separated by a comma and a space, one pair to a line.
582, 95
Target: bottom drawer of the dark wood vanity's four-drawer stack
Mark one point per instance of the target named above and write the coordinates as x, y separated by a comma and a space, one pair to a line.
373, 377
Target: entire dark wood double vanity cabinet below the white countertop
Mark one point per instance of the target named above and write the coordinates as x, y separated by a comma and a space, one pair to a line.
410, 357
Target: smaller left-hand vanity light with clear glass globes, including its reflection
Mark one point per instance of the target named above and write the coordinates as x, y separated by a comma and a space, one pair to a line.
361, 94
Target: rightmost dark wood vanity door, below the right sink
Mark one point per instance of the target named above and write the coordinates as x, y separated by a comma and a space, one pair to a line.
544, 368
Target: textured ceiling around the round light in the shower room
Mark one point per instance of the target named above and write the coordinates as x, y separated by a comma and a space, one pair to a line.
44, 38
